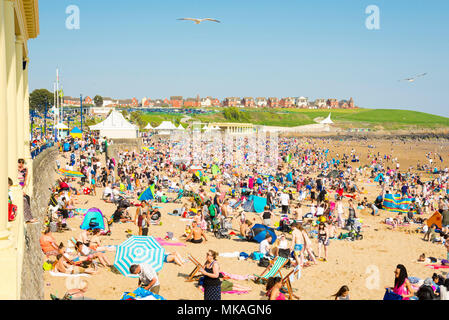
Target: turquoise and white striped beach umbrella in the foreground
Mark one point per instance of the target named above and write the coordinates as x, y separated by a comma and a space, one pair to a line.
136, 250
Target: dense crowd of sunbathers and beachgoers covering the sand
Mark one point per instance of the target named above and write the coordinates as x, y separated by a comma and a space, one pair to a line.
309, 196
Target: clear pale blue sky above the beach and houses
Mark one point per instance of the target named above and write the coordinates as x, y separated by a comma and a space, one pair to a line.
317, 49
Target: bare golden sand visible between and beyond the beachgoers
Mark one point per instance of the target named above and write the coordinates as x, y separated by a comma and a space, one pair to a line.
356, 264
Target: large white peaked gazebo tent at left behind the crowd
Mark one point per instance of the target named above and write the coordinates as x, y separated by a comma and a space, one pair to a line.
116, 127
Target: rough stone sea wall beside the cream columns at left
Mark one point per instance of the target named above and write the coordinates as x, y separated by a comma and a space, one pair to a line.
44, 176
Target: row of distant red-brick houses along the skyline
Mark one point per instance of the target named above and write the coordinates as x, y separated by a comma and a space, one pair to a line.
245, 102
